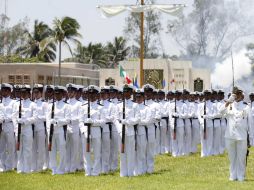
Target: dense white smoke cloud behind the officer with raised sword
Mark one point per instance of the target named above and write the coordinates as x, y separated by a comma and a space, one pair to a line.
222, 75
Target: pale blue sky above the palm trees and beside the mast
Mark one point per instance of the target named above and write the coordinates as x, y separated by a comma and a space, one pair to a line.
94, 28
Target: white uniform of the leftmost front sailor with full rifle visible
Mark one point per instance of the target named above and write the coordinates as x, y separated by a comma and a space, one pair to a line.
28, 117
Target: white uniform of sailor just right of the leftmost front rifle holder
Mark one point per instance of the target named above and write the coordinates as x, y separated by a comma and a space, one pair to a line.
40, 137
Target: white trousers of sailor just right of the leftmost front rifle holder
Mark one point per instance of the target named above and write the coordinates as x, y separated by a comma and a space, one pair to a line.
39, 150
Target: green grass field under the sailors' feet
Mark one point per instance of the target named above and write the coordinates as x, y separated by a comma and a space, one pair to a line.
192, 173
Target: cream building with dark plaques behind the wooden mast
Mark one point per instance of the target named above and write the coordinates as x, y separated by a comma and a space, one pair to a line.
176, 74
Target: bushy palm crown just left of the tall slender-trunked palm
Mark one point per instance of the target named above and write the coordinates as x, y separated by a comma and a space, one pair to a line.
32, 47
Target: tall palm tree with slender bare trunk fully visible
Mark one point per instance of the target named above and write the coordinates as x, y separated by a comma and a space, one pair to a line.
64, 31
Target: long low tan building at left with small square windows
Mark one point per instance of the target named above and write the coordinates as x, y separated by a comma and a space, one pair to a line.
46, 73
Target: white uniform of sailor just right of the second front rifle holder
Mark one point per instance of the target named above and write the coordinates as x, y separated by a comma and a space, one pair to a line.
73, 137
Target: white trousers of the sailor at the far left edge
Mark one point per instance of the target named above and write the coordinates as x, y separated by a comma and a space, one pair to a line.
7, 150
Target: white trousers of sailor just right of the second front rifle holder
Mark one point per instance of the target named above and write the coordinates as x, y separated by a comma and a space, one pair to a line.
72, 150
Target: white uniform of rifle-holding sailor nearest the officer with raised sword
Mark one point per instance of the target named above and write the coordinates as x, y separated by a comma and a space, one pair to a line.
206, 144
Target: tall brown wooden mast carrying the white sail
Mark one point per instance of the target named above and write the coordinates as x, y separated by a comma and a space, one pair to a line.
141, 47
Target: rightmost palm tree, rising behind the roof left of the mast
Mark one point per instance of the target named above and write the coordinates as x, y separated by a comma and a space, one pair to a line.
117, 51
